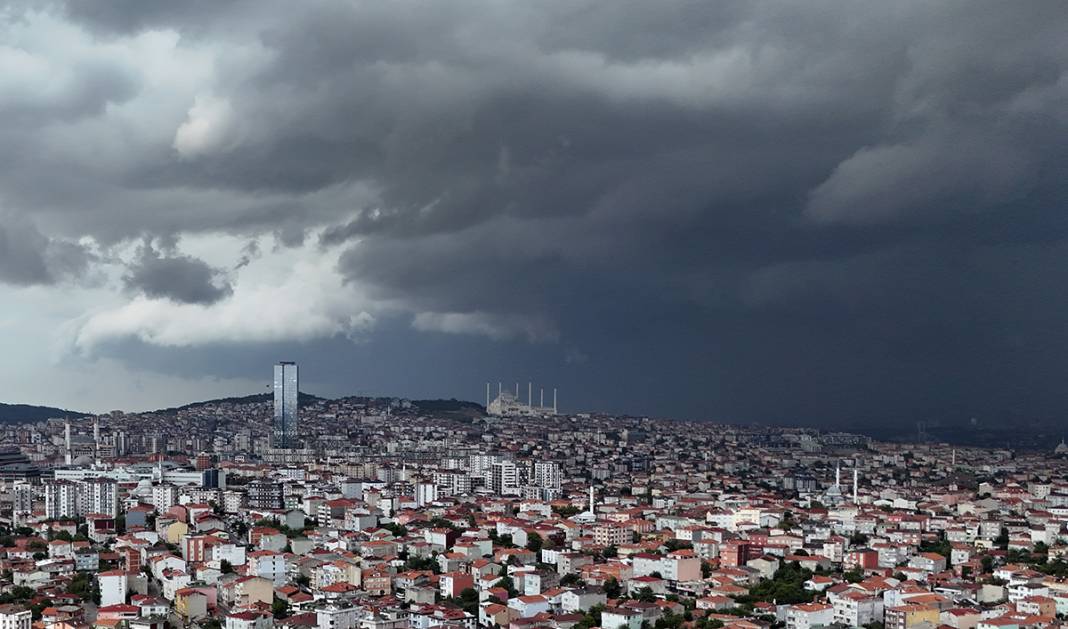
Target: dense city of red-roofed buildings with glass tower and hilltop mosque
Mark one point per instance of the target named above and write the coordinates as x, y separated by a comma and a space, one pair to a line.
292, 511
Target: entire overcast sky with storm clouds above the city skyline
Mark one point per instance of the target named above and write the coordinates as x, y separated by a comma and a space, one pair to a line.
821, 213
